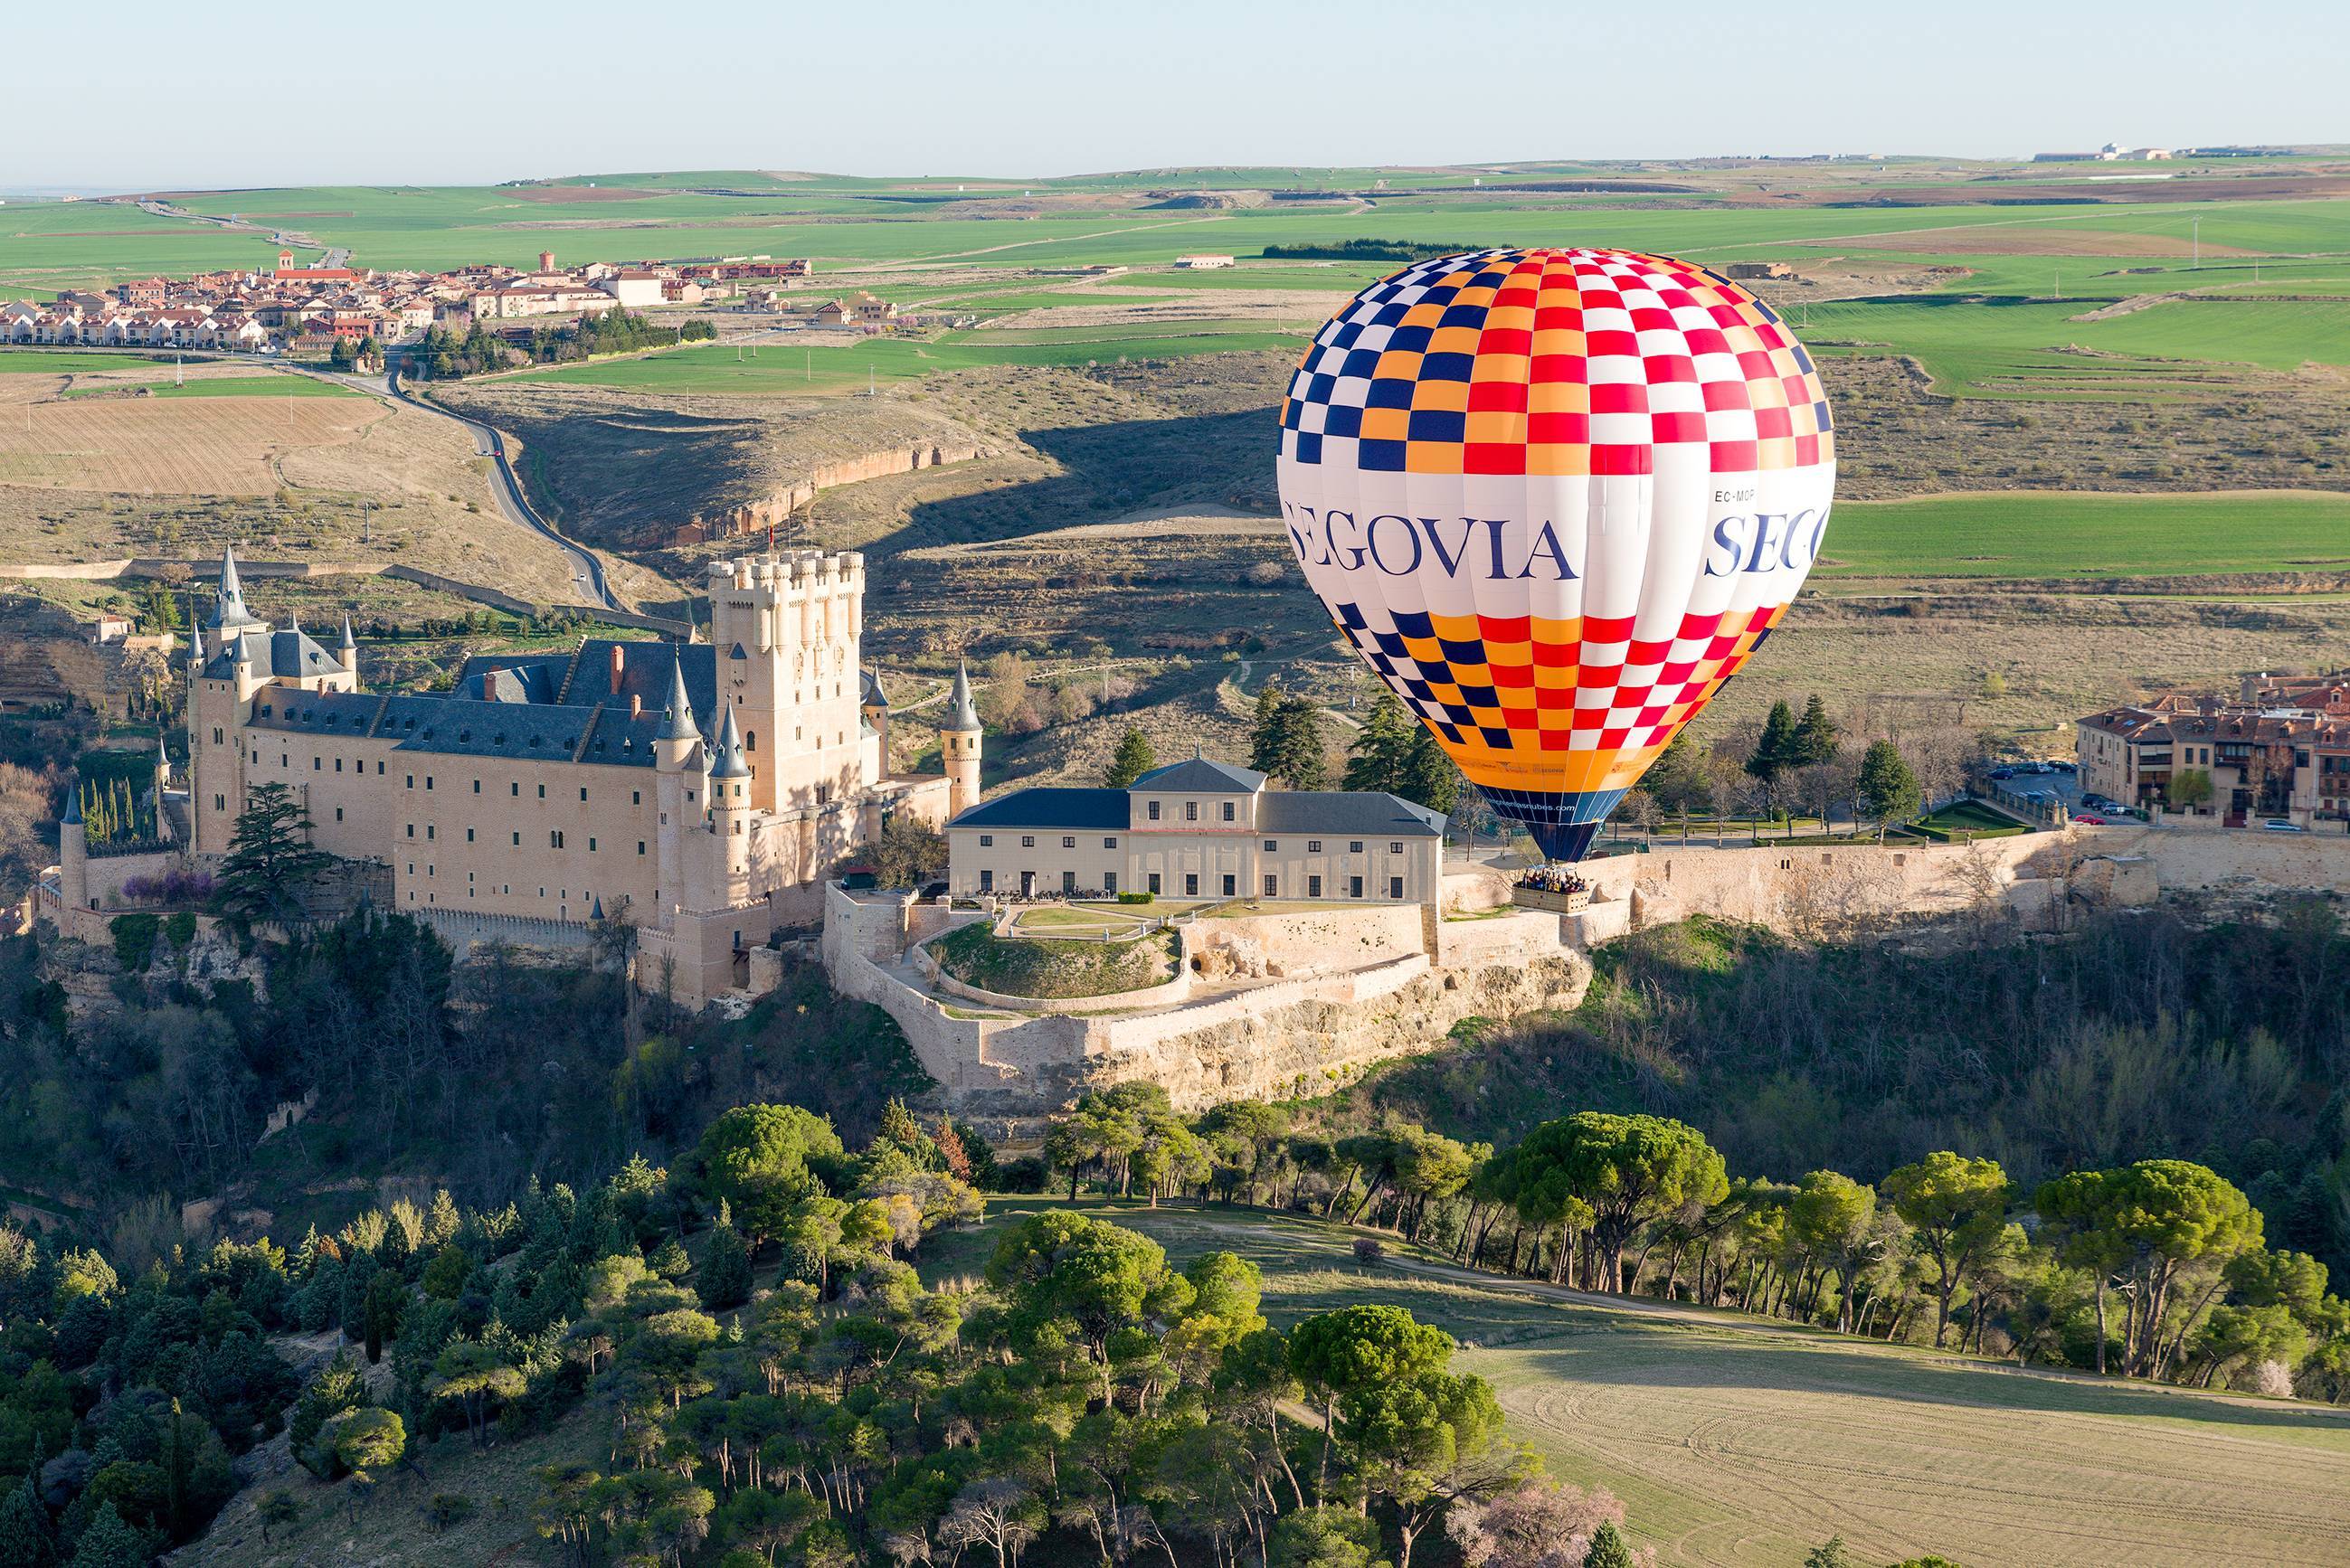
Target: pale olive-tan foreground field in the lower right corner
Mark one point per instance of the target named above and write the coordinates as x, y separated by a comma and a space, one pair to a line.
1740, 1447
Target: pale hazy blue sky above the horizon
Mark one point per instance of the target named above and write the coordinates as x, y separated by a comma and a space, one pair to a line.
434, 93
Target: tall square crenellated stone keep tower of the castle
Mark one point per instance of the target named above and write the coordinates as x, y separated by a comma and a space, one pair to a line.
786, 631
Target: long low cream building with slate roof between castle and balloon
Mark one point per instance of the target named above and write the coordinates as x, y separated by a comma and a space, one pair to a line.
1197, 831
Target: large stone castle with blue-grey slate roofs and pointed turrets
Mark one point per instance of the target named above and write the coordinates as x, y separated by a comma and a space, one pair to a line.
694, 791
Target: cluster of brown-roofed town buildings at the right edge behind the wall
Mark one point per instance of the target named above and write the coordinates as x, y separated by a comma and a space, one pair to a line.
2276, 751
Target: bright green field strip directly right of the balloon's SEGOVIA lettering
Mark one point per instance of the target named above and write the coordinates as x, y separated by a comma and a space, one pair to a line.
2067, 535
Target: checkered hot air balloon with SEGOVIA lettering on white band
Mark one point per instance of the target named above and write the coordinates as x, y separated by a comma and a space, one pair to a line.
1555, 500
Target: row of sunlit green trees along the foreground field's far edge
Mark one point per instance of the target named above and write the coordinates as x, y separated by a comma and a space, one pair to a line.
2151, 1271
